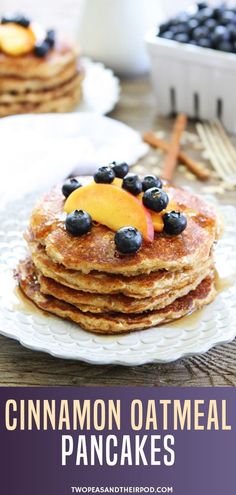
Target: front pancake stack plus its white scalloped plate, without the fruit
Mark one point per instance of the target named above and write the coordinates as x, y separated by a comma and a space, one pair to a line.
121, 302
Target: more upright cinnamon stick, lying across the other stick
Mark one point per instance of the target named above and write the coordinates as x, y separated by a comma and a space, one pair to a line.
174, 148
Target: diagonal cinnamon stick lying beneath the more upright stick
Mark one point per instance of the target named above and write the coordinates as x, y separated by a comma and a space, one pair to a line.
194, 167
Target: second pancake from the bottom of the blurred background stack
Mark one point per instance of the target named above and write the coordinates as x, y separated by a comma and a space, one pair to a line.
45, 95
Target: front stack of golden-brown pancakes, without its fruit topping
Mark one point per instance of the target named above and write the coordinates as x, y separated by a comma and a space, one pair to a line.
86, 280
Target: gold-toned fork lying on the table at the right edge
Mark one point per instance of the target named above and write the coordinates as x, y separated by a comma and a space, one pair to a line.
221, 152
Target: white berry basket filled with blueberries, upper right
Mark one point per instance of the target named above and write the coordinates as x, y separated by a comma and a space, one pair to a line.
193, 63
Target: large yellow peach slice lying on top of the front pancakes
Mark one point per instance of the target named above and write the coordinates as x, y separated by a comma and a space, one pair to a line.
111, 206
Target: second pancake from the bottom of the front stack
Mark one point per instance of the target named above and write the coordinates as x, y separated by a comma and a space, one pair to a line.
96, 303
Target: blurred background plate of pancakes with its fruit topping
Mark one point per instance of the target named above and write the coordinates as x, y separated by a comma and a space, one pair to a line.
42, 72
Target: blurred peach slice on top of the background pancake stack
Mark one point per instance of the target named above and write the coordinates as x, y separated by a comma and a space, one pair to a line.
16, 40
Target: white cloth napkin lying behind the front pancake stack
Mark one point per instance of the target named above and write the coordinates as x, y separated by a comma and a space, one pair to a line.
38, 151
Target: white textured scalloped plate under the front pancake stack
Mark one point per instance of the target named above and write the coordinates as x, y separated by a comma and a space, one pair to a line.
214, 324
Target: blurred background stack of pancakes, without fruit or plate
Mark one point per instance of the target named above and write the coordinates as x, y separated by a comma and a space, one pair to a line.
29, 84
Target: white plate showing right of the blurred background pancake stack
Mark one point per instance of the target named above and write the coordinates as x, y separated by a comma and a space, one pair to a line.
101, 89
